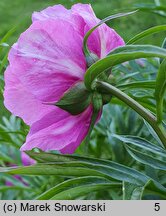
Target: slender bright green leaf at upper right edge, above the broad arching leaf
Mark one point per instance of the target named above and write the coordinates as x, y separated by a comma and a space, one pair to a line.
150, 31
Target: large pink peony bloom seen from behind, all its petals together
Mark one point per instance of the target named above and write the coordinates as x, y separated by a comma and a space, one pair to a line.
45, 62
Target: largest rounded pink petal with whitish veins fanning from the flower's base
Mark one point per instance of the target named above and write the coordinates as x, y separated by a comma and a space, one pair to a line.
48, 59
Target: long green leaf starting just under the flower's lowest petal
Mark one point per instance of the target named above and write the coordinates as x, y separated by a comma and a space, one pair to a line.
112, 169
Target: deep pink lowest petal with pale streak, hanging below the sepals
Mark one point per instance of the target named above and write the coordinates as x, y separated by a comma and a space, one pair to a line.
59, 131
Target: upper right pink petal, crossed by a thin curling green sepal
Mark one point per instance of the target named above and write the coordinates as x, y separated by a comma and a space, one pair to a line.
103, 39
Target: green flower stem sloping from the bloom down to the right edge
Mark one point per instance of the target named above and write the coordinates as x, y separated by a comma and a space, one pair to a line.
148, 116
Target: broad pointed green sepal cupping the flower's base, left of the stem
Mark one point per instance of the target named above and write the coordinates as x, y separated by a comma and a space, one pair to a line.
76, 99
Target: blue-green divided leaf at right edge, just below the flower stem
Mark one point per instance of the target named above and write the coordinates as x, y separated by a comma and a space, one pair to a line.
144, 151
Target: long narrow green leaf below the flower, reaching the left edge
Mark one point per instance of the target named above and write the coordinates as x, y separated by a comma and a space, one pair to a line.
78, 169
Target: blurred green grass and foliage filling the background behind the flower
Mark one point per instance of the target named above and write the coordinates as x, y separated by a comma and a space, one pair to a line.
122, 120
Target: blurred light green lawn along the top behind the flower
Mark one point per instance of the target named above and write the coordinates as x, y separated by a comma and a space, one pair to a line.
13, 12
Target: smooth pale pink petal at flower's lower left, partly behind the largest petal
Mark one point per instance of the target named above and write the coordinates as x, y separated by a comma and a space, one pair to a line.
20, 102
